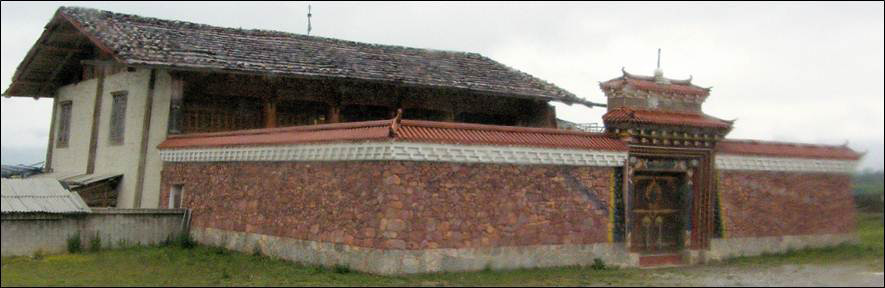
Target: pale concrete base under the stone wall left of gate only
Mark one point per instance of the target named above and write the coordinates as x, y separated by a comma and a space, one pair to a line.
389, 262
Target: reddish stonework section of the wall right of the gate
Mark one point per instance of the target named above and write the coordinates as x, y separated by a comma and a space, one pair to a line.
771, 203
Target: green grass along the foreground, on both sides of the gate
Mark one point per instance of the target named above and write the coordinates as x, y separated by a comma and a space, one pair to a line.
206, 266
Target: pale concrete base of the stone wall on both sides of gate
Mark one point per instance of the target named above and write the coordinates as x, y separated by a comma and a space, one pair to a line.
391, 262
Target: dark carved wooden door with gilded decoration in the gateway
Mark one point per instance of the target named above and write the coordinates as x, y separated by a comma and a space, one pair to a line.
656, 214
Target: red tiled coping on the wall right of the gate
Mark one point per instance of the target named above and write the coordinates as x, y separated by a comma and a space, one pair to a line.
782, 149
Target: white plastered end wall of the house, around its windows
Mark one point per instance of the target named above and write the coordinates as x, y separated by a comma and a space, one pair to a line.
122, 158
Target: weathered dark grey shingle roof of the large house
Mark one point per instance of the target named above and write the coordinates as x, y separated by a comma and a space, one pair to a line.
136, 40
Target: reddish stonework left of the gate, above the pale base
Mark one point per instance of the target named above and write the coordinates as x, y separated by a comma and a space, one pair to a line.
399, 205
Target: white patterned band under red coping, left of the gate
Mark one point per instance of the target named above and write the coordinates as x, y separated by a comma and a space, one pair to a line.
400, 151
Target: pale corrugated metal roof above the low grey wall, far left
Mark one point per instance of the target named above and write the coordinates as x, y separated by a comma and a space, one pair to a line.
39, 195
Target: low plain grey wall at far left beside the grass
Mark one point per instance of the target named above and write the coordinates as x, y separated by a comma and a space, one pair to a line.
28, 234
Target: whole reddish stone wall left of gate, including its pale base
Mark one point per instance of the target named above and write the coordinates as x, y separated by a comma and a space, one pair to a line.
441, 216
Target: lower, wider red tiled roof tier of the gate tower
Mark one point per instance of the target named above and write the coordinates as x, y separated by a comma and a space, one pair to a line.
638, 116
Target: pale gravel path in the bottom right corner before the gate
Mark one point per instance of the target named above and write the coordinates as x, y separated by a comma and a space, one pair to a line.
838, 275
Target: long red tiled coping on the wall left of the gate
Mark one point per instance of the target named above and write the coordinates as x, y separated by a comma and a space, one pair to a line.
403, 130
